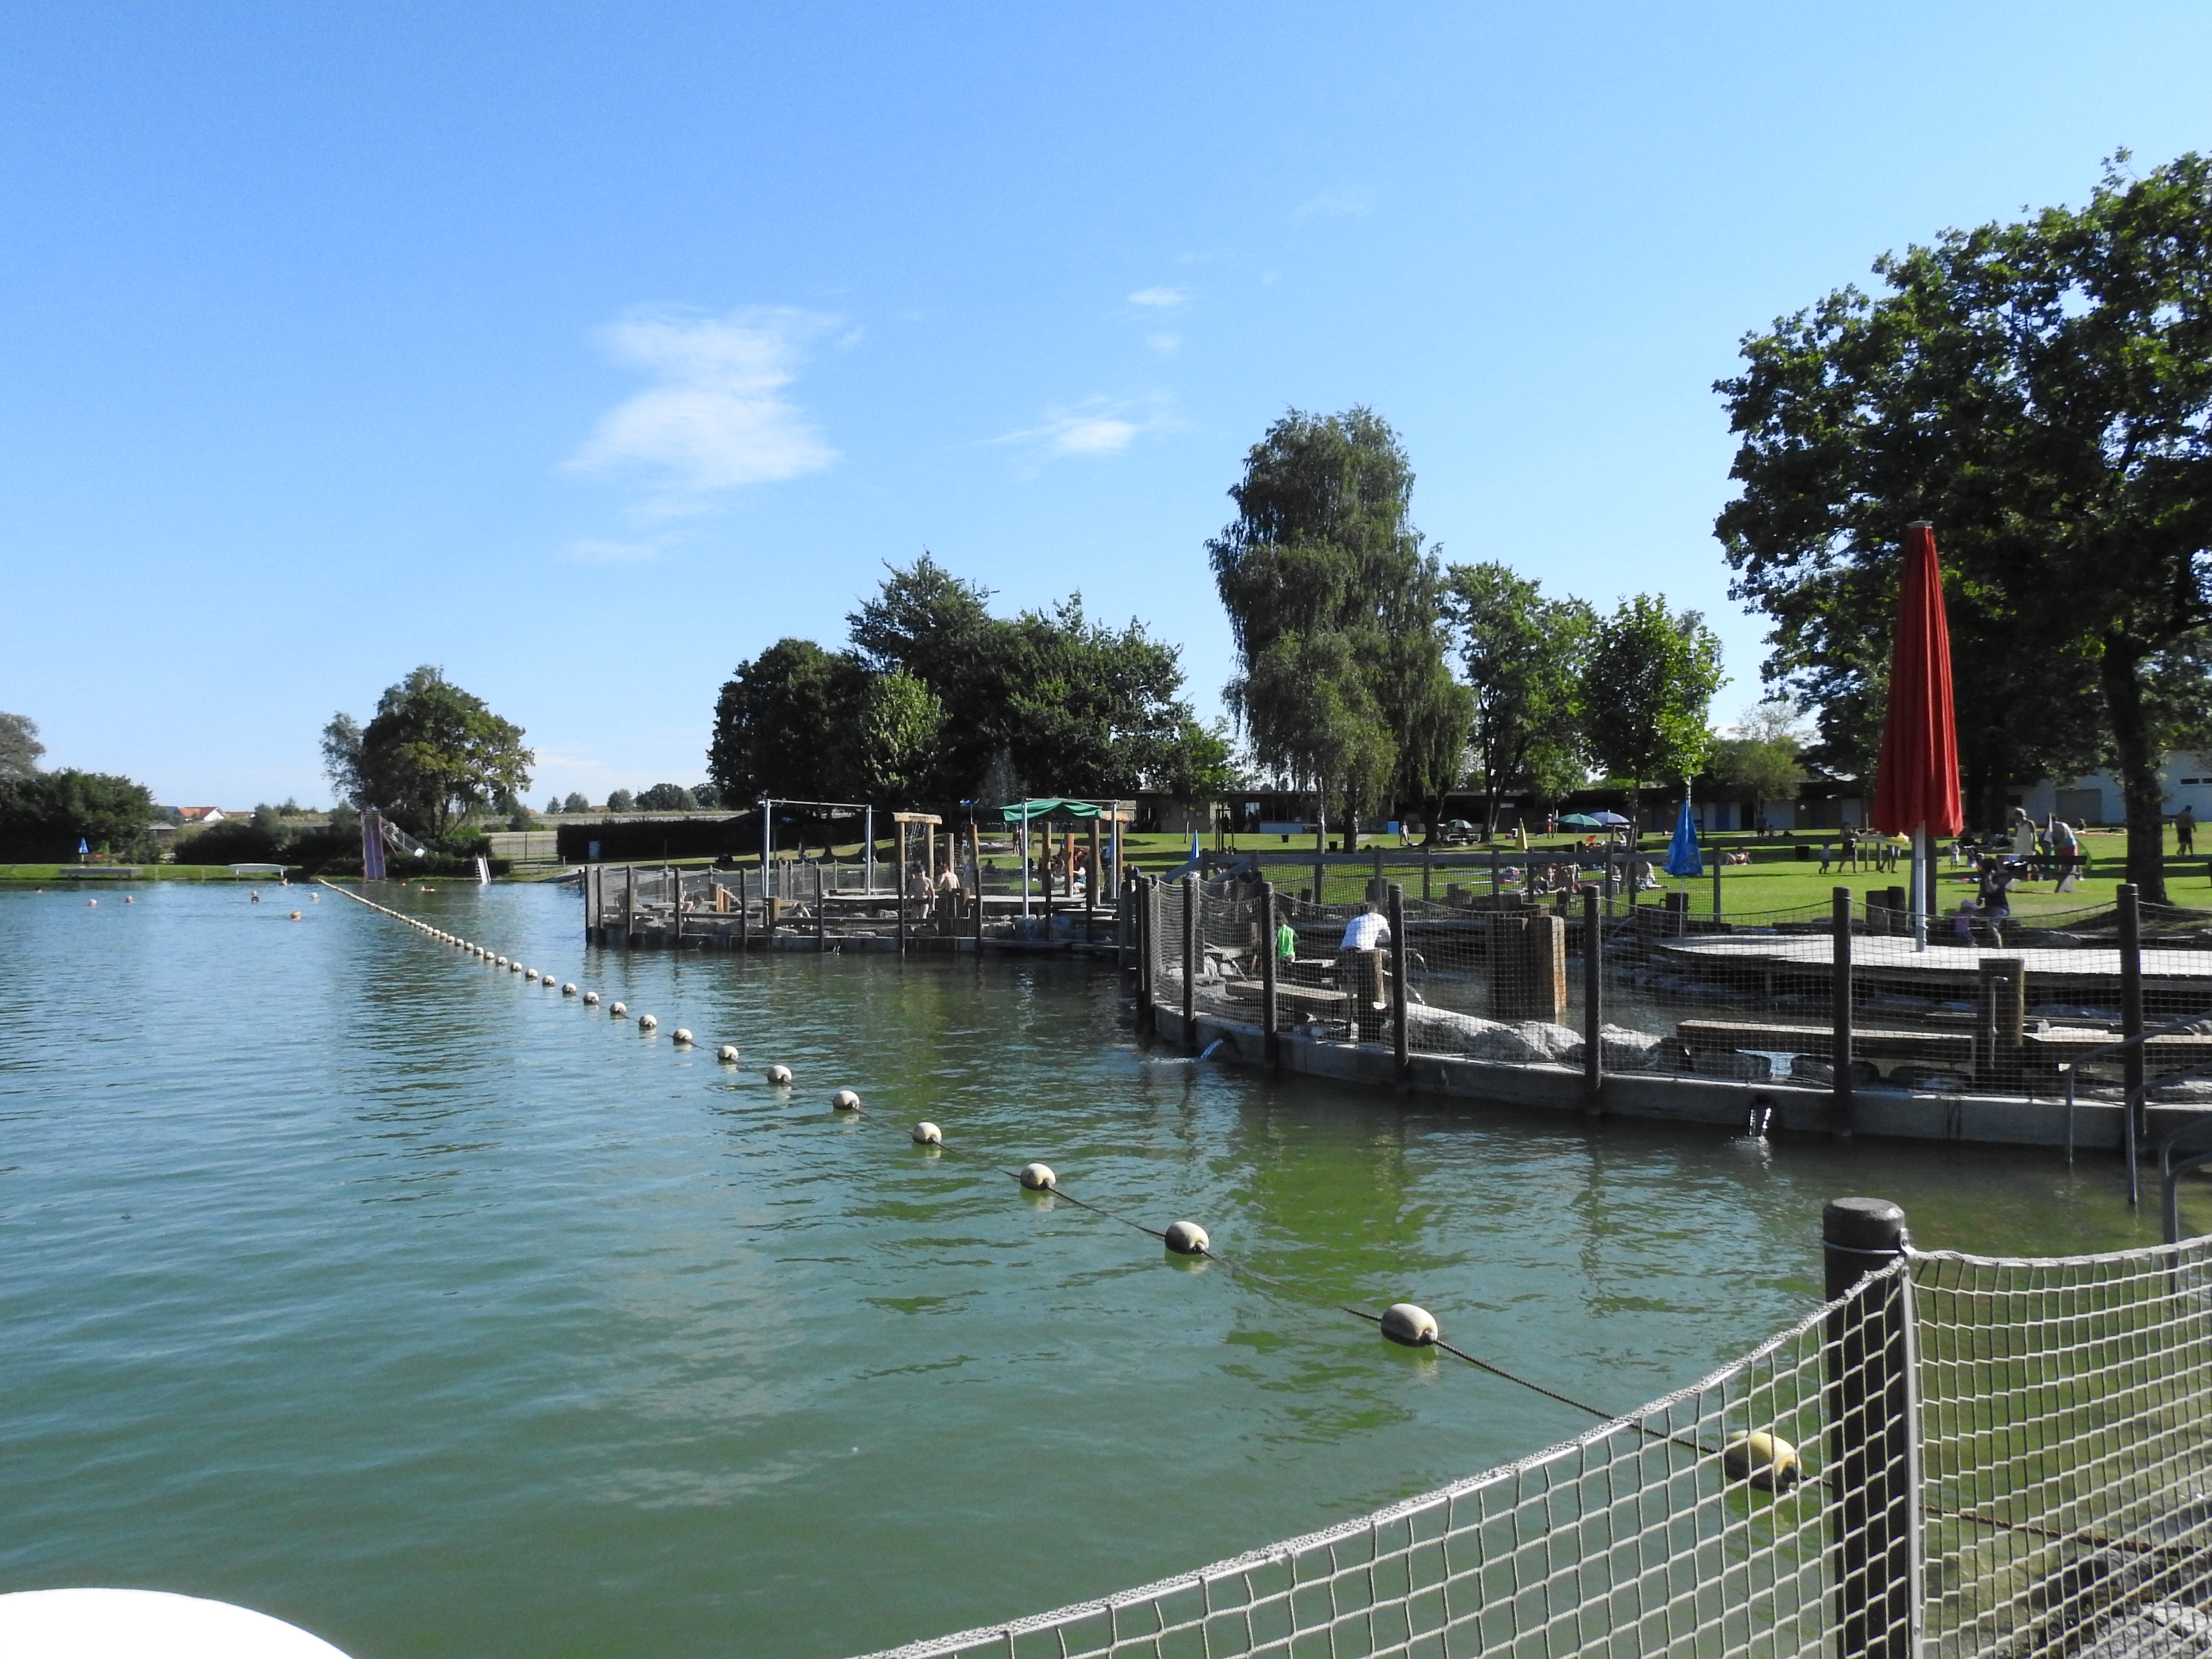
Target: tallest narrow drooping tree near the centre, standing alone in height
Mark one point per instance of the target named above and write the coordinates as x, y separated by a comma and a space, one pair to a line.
1337, 616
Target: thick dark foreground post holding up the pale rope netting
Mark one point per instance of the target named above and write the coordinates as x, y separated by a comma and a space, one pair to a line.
1875, 1434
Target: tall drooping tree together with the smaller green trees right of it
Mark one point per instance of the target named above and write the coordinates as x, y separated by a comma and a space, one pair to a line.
1348, 625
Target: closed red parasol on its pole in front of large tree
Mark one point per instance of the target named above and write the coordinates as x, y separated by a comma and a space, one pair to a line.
1917, 782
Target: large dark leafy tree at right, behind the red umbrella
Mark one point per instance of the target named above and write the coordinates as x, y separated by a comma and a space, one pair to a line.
2041, 393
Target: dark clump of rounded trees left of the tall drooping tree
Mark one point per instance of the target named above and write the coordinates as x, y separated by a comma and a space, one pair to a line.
937, 700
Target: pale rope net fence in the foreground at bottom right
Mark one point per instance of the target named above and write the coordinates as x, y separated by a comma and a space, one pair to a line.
1959, 1457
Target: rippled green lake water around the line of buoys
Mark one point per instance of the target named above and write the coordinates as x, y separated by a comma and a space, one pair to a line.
439, 1315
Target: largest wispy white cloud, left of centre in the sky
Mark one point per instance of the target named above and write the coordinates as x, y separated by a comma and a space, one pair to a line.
716, 421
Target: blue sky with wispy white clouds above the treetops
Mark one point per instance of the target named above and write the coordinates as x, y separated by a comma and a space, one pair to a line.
587, 351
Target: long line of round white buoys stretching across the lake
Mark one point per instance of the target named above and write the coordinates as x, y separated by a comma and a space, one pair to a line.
1760, 1459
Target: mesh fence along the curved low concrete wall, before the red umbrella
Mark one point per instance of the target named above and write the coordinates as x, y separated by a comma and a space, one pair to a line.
2034, 1005
